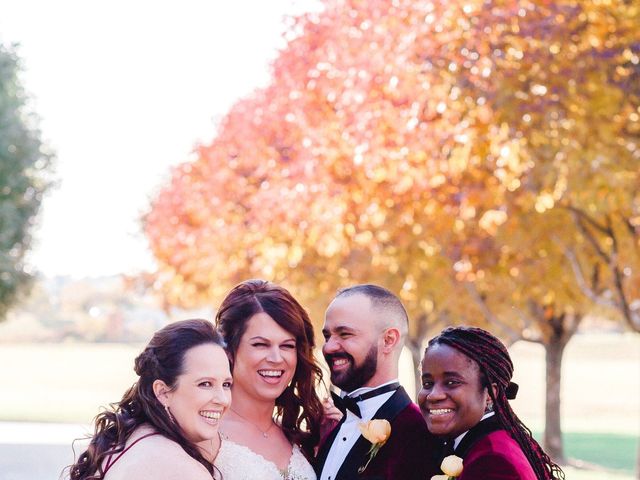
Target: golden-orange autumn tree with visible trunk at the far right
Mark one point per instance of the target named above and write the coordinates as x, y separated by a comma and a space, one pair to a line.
561, 79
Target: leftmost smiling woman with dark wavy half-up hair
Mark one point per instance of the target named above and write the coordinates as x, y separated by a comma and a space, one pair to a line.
165, 427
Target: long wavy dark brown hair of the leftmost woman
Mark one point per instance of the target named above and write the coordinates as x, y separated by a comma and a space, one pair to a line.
162, 359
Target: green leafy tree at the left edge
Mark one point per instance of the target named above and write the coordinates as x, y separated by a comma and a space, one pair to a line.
24, 164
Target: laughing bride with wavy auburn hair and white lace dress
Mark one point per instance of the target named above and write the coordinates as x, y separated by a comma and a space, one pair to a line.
272, 426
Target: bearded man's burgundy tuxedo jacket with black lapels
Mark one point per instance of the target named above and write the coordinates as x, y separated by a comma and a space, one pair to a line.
410, 453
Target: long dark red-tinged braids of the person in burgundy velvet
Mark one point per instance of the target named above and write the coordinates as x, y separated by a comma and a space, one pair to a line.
496, 368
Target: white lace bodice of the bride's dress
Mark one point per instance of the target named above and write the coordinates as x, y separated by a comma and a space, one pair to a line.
237, 462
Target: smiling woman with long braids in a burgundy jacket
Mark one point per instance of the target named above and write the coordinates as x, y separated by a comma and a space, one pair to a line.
466, 388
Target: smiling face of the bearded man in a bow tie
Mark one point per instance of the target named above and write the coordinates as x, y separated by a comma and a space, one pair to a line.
351, 342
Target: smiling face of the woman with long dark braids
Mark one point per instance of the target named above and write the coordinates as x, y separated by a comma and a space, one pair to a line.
452, 398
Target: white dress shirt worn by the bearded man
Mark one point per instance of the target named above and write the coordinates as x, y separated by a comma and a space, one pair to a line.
349, 431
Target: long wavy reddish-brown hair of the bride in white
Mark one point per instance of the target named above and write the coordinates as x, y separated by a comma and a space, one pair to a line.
298, 406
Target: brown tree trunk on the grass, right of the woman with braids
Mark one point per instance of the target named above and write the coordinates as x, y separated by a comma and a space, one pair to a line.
553, 431
